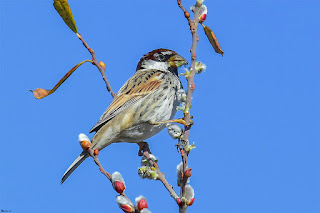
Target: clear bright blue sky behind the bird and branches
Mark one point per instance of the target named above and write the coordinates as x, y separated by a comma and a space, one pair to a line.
256, 110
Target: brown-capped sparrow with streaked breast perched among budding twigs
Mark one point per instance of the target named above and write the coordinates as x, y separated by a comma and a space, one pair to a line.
150, 96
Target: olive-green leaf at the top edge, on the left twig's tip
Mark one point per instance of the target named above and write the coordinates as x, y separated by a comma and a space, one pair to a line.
63, 8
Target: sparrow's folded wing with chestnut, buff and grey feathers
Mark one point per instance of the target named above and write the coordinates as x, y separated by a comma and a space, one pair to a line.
140, 85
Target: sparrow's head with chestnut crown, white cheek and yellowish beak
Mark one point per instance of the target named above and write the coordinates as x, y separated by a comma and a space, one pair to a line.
162, 59
